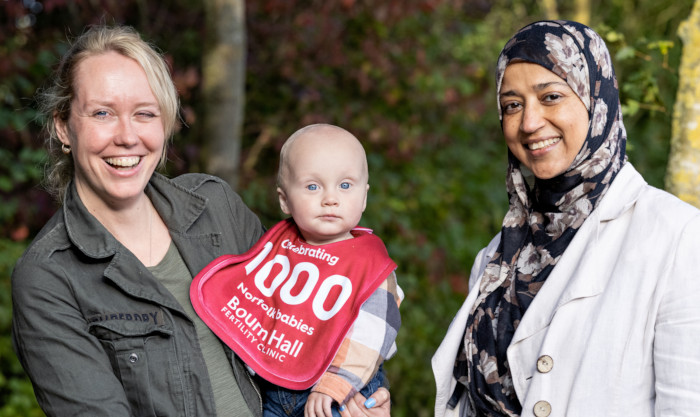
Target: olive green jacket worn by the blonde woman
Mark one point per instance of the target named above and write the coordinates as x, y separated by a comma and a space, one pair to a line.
98, 334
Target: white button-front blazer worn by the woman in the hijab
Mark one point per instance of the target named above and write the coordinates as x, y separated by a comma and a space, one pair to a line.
616, 326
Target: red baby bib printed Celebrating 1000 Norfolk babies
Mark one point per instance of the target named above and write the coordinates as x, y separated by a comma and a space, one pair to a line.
285, 306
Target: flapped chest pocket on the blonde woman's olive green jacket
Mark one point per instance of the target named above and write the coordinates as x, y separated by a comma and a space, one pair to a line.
144, 358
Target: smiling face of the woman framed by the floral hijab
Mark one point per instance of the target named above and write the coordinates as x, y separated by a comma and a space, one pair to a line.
544, 122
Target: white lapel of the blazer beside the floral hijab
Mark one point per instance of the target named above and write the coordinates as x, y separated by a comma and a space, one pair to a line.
579, 272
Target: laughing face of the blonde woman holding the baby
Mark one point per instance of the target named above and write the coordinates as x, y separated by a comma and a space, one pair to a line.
115, 131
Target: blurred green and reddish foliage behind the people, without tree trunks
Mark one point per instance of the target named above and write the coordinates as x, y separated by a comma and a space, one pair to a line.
412, 79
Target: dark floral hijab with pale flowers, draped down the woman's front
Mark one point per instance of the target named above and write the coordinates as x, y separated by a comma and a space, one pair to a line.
542, 219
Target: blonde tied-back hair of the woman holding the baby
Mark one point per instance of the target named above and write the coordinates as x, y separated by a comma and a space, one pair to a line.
55, 100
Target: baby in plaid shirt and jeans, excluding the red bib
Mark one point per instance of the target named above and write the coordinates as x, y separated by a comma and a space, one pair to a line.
323, 184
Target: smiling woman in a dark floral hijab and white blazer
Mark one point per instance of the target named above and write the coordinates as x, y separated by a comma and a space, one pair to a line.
586, 302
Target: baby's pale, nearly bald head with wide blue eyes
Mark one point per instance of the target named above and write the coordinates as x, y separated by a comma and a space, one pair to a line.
324, 184
